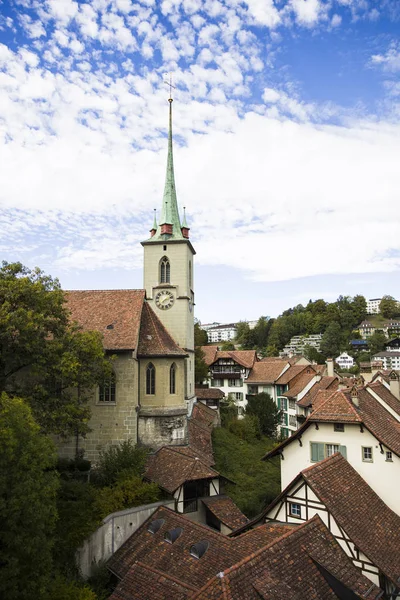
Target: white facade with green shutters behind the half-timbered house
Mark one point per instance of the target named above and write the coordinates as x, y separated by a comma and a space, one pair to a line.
380, 473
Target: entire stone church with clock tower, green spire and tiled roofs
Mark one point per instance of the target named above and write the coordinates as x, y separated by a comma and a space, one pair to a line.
150, 334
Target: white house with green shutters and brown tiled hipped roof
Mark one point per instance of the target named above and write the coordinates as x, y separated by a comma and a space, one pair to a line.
362, 424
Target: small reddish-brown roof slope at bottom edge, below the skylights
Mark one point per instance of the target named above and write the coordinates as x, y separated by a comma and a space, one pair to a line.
140, 578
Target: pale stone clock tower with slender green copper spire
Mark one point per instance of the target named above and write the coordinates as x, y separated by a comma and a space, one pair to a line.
168, 272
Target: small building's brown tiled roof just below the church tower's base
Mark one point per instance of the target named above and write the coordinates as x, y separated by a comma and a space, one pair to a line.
170, 468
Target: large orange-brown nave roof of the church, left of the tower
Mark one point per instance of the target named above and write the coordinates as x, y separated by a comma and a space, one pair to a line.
116, 314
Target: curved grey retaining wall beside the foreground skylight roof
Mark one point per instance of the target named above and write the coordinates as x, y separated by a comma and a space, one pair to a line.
114, 531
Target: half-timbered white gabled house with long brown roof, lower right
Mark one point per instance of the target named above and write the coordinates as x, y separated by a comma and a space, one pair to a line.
364, 526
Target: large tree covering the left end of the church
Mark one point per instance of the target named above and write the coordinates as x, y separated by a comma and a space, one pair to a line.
44, 358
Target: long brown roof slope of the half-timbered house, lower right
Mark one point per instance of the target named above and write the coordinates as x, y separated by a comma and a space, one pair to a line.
369, 523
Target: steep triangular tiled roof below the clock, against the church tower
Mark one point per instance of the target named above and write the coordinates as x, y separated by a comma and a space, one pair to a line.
154, 339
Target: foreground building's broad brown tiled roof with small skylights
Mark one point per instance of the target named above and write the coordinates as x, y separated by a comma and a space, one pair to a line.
172, 557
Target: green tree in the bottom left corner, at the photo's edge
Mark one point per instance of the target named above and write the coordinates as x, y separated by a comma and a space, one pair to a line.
28, 488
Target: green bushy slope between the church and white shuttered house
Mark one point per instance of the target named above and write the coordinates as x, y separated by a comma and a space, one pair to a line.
257, 482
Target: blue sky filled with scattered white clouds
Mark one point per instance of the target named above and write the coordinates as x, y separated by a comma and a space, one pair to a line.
286, 121
